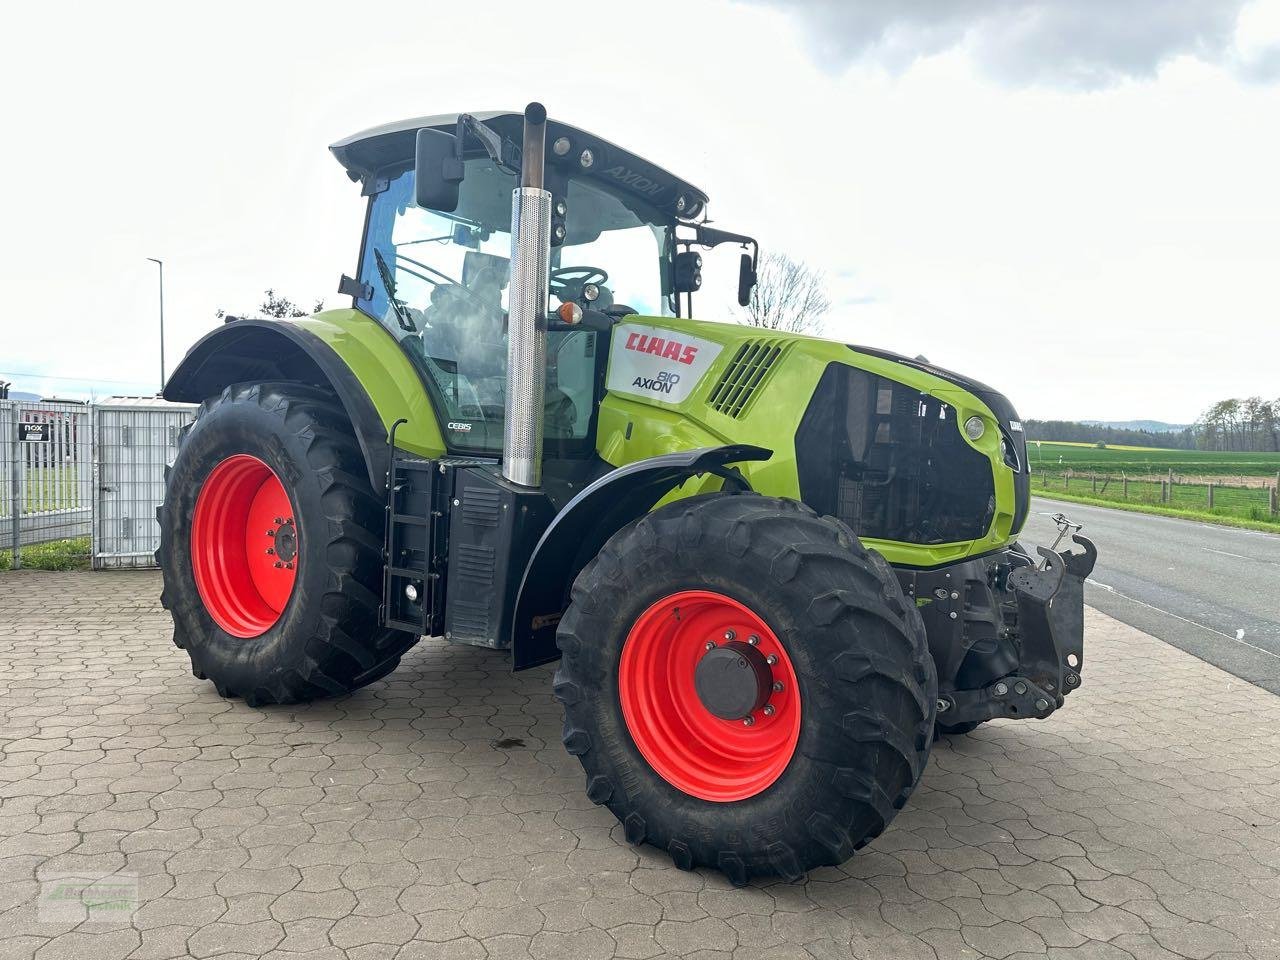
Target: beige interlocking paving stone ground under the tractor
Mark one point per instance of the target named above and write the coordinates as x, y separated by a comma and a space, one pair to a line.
436, 815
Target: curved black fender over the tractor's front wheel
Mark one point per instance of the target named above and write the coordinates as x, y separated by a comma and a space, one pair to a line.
583, 528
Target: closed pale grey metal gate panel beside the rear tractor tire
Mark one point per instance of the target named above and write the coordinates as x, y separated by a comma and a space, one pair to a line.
134, 440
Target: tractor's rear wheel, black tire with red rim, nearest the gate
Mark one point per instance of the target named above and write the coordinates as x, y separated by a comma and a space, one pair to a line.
271, 547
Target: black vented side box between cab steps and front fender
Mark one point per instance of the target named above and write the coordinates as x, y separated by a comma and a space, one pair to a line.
493, 529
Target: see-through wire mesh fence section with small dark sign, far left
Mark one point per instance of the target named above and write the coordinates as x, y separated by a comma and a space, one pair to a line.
47, 473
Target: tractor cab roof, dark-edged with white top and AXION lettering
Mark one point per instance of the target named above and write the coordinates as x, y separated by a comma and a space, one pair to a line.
390, 147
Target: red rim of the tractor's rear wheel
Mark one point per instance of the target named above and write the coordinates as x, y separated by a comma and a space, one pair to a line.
244, 546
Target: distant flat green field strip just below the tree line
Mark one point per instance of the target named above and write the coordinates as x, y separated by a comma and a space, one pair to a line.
1055, 458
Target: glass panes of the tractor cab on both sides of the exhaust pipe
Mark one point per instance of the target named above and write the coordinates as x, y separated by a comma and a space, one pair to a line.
438, 282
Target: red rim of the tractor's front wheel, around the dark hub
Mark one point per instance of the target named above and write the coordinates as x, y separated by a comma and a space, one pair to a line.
683, 740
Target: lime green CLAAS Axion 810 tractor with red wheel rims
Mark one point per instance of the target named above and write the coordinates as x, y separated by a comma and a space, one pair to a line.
774, 569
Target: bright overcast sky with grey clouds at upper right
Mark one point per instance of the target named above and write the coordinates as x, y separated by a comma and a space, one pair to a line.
1073, 200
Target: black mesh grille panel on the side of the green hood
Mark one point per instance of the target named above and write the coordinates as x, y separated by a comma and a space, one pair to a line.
890, 461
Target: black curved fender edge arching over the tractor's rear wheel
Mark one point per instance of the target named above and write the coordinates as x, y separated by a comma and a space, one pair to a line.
257, 351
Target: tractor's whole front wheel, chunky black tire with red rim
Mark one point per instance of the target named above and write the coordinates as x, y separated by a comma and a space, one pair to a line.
842, 723
